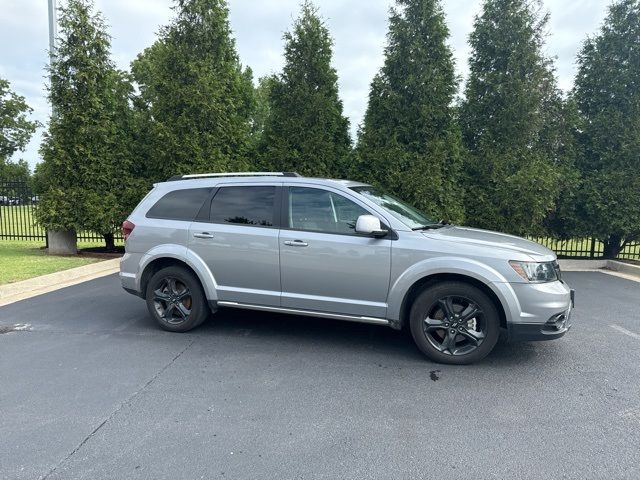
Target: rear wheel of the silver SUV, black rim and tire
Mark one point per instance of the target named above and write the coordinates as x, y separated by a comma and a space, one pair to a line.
175, 299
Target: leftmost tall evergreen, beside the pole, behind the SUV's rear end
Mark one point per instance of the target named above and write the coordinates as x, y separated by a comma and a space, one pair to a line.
86, 159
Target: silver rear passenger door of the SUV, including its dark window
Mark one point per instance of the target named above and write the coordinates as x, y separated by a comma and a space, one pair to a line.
238, 240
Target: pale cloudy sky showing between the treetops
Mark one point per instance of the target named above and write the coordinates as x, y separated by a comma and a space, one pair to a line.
357, 26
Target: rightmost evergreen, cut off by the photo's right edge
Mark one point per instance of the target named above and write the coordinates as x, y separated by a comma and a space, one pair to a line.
607, 93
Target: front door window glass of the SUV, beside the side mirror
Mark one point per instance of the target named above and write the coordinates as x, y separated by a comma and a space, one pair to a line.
318, 210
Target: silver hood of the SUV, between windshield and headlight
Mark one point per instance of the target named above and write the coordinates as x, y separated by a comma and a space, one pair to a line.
485, 238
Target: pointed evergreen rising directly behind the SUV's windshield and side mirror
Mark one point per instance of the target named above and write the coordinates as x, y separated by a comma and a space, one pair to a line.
410, 142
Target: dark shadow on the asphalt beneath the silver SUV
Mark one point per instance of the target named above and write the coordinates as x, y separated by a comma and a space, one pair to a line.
333, 336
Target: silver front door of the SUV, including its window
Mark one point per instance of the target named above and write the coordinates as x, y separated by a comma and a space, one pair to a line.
325, 266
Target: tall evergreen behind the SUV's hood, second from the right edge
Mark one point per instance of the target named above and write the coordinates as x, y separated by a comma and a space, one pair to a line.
512, 102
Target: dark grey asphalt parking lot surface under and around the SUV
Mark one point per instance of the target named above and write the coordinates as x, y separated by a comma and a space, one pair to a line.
93, 390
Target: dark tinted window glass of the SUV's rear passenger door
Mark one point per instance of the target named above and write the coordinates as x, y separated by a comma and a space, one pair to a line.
244, 206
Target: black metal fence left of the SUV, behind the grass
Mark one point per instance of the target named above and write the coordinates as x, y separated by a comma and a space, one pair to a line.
17, 220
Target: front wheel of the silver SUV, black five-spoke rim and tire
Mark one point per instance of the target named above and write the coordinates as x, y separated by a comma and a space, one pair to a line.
454, 323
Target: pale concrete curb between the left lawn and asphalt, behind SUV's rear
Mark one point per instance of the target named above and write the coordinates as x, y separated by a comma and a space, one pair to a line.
55, 281
